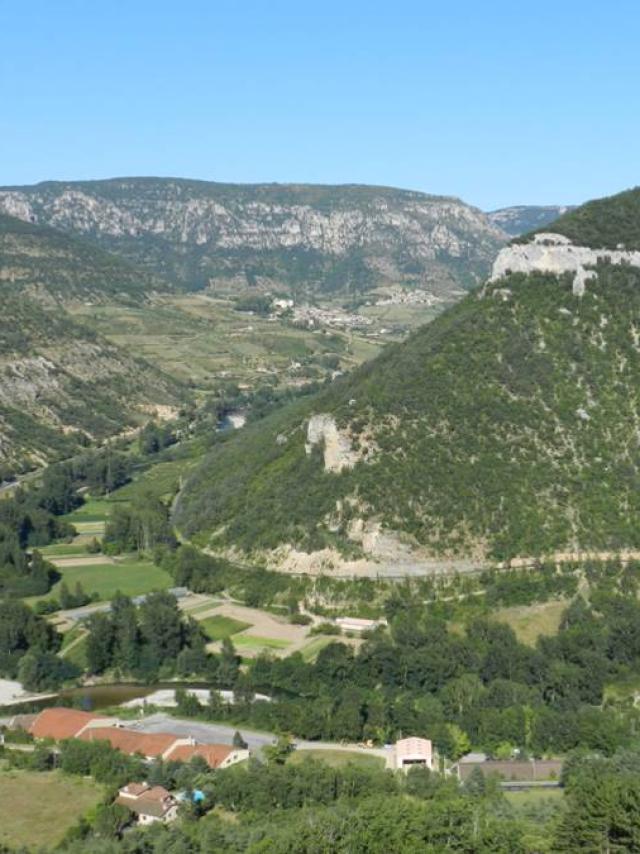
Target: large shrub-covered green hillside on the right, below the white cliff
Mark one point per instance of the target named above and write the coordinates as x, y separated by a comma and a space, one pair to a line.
507, 426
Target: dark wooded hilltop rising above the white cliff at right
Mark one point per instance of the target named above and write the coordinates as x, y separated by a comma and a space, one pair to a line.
602, 223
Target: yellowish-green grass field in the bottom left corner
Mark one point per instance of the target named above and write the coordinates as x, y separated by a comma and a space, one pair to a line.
37, 809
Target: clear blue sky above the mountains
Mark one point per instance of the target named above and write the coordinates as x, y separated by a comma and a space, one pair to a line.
499, 102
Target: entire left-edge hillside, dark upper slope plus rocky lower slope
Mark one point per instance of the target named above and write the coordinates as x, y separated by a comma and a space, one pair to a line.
62, 384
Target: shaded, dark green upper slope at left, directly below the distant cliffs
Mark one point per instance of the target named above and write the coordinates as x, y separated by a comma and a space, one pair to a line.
46, 263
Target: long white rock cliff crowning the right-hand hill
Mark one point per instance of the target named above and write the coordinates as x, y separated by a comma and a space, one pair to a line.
554, 253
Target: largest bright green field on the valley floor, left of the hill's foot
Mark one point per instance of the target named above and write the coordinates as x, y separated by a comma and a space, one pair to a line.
131, 577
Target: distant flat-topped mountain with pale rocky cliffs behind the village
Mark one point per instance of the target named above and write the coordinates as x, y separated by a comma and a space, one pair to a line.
303, 239
